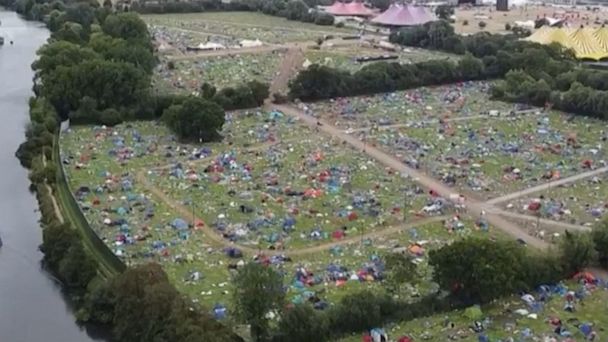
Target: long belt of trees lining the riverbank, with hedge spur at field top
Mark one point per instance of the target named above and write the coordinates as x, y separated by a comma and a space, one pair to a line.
96, 69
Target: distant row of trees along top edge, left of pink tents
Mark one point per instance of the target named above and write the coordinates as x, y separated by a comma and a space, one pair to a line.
291, 9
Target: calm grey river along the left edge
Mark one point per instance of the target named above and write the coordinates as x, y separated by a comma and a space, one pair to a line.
32, 307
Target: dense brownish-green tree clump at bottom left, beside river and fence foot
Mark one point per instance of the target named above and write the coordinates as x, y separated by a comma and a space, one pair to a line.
142, 305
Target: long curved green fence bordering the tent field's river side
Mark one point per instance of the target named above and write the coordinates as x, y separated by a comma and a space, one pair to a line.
109, 263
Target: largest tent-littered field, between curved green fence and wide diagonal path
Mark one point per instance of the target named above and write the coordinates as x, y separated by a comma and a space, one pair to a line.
311, 200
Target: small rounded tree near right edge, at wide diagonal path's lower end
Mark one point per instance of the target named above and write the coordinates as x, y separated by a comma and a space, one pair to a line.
577, 251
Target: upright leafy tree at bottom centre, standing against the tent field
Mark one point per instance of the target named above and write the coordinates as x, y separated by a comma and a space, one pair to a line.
258, 290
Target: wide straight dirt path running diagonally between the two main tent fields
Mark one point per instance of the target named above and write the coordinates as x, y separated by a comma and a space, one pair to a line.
475, 207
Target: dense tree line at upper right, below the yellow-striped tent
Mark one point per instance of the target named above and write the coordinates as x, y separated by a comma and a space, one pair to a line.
541, 75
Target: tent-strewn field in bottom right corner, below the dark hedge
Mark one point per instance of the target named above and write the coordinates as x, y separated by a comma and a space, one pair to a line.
506, 320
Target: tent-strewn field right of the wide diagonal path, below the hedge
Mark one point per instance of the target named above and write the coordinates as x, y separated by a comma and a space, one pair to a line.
445, 131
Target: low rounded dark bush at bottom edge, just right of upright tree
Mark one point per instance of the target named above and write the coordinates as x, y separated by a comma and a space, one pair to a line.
302, 324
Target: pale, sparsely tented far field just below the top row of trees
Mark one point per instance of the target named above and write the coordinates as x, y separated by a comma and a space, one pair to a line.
246, 25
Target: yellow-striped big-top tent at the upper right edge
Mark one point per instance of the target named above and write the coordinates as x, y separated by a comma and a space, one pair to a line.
586, 42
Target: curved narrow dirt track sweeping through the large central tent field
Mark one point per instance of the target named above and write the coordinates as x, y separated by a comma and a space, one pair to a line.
217, 239
